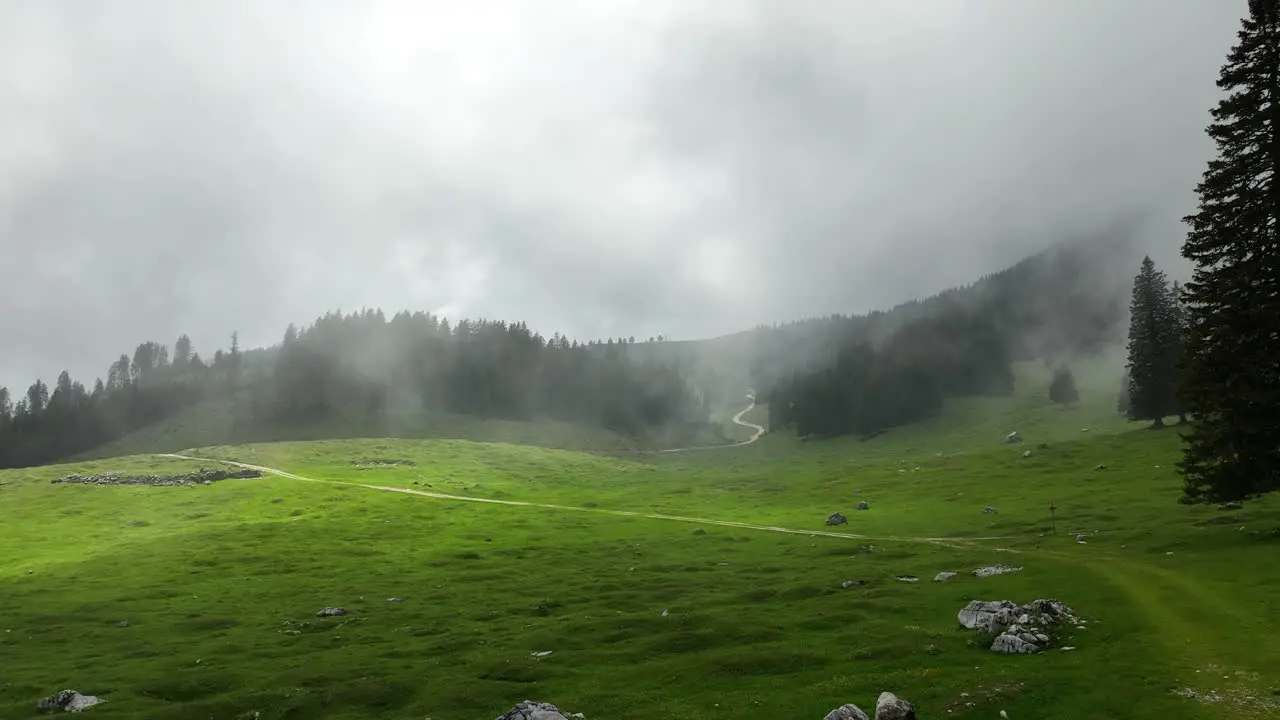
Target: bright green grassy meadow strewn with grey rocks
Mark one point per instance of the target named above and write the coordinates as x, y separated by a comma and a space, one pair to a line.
221, 584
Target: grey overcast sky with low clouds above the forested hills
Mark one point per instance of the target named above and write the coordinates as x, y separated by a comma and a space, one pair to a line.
593, 167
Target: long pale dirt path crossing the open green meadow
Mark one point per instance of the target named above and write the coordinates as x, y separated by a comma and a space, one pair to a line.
577, 509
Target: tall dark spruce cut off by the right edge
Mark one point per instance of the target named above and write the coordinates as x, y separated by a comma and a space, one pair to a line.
1232, 380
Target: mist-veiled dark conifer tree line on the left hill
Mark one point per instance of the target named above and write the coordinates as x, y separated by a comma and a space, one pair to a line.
359, 367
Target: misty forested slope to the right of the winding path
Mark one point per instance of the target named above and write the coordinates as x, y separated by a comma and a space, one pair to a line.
863, 375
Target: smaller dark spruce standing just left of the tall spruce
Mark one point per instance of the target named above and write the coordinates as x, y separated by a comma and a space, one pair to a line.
1153, 348
